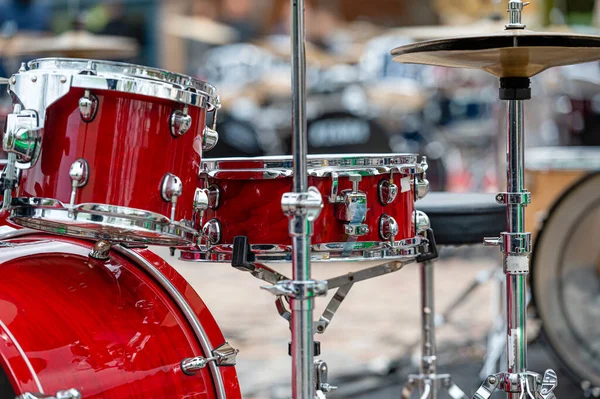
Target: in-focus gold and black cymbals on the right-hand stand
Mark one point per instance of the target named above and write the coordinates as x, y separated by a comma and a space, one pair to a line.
510, 53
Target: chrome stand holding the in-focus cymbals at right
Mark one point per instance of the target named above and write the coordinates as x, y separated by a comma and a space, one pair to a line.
515, 244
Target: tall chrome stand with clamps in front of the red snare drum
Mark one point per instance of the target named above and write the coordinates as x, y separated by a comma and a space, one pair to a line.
302, 207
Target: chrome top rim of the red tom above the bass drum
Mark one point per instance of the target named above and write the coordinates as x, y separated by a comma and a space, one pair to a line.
121, 77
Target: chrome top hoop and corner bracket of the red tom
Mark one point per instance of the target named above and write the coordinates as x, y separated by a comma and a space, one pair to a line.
49, 79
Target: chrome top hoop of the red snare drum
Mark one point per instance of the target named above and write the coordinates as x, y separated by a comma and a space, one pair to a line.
276, 167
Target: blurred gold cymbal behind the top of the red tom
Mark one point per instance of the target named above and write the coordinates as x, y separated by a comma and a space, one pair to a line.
79, 44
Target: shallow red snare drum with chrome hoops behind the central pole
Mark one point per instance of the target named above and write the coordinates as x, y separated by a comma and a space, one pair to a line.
368, 206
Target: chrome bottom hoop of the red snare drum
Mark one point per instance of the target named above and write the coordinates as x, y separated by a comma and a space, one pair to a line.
407, 249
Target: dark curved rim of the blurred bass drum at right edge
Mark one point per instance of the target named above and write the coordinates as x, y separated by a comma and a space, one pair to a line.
551, 338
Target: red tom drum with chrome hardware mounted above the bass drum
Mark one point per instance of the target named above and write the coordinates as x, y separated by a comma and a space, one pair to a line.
109, 150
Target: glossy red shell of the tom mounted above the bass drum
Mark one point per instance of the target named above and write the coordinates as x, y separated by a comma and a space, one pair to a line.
129, 148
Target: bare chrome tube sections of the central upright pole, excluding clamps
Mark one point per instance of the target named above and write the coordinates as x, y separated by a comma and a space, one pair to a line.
302, 309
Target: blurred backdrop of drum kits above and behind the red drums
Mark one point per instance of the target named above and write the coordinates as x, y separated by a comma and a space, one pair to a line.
360, 100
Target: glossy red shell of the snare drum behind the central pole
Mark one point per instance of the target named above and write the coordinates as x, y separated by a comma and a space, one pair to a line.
253, 208
